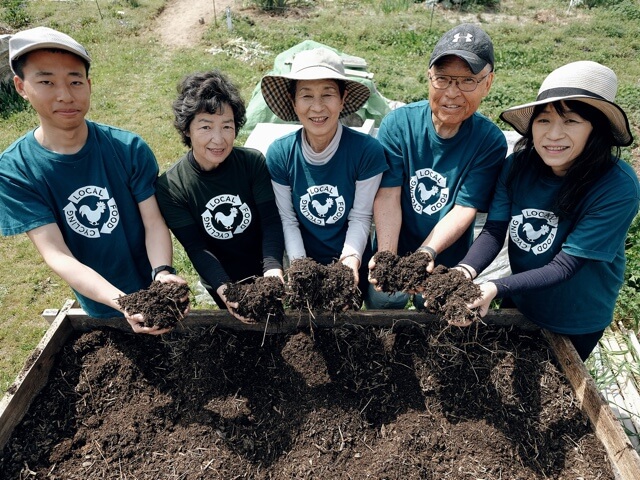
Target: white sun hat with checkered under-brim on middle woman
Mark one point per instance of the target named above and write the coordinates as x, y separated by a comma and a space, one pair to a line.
316, 64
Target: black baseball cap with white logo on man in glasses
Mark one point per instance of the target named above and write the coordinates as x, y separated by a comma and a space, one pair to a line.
468, 42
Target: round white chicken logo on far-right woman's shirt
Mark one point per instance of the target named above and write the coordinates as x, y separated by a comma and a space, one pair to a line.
533, 230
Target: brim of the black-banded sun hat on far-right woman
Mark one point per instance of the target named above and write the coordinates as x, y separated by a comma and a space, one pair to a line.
520, 116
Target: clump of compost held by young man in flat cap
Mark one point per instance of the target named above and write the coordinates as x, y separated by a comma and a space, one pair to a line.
162, 304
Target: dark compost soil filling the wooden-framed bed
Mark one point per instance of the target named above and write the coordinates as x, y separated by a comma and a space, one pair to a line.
431, 402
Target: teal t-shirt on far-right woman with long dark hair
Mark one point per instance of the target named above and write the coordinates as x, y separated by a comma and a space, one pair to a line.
596, 232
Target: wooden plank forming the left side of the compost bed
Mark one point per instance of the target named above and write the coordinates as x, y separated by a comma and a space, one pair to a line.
34, 376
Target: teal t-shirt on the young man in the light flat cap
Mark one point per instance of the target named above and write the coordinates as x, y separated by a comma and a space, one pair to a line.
92, 196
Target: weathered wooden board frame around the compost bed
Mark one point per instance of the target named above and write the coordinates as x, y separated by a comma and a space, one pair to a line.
13, 406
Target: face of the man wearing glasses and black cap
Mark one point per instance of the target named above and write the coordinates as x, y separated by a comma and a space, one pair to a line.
451, 106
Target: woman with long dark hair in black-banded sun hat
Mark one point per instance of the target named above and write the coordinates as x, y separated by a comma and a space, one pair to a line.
567, 201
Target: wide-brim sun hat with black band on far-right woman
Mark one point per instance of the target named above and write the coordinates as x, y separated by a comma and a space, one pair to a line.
583, 81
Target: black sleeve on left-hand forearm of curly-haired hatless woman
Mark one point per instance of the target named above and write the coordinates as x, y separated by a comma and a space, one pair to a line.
205, 262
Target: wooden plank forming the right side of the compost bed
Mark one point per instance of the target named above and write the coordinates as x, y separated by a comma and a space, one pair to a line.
623, 457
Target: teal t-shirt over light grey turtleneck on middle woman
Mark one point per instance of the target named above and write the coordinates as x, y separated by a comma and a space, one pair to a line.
323, 195
